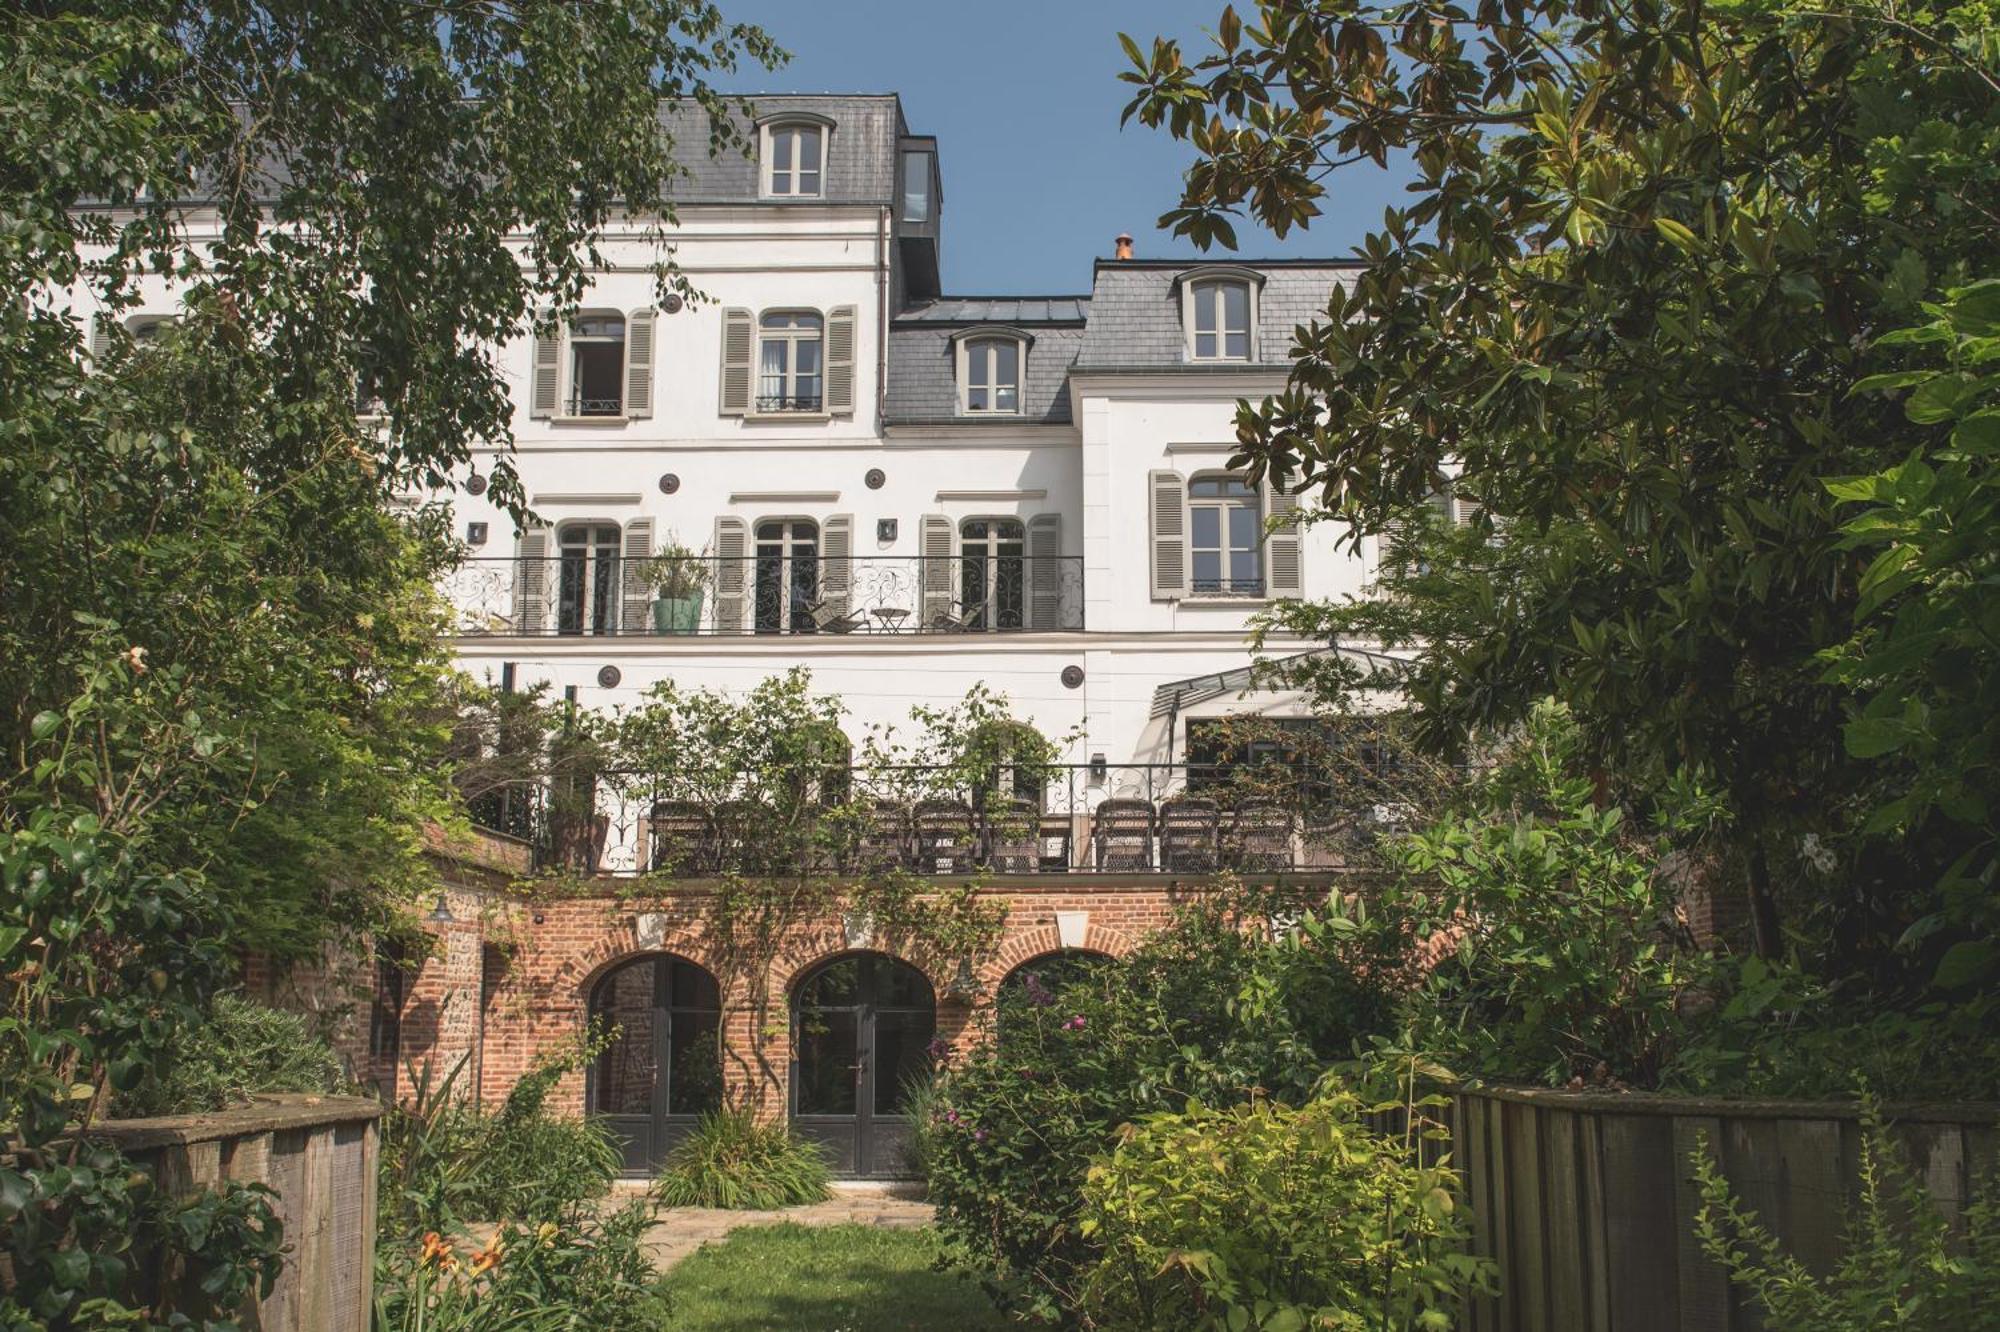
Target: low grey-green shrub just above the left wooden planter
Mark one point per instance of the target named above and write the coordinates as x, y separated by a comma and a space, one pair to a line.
241, 1049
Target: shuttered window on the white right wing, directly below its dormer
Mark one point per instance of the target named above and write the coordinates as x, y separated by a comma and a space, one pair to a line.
1221, 535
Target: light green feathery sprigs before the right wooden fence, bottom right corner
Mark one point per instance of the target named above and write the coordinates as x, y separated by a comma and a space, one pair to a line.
1903, 1263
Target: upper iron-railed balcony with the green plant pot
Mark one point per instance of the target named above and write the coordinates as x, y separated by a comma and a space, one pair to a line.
593, 593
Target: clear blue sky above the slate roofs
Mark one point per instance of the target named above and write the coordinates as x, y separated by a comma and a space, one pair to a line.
1025, 101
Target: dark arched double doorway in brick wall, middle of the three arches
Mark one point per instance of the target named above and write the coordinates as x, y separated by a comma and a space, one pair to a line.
861, 1037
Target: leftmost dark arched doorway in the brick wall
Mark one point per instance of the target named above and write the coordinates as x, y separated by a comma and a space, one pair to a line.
663, 1069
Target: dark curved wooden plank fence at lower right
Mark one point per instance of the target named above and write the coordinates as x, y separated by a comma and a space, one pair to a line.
1587, 1201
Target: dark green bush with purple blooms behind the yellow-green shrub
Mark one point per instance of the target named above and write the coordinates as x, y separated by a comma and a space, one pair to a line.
1207, 1009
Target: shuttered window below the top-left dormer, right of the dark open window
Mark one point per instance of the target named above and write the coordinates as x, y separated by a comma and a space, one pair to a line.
789, 363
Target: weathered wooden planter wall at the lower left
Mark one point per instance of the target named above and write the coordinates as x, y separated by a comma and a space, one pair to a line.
319, 1153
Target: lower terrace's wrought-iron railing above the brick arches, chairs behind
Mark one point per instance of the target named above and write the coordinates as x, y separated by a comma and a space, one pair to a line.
1057, 819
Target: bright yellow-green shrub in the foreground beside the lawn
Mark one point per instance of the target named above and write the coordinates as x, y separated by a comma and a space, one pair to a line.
1263, 1217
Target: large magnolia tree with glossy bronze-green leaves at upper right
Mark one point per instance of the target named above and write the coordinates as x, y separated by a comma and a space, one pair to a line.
1651, 251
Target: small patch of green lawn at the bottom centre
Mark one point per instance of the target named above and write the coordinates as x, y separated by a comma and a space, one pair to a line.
823, 1279
